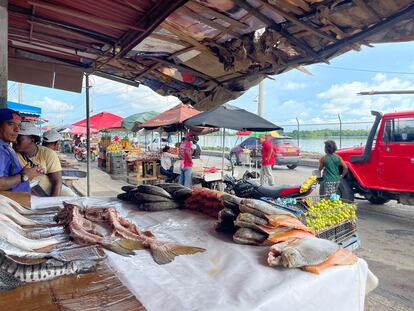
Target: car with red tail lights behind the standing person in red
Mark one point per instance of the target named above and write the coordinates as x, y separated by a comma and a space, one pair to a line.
287, 153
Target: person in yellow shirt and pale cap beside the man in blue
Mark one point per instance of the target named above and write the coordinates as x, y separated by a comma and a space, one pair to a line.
29, 152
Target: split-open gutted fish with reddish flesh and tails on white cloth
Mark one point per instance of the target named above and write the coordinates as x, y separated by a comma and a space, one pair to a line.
104, 226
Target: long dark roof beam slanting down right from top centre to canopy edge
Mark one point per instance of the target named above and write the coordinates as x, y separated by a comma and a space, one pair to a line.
271, 24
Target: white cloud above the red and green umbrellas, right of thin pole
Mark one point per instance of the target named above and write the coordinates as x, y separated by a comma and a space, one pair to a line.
134, 99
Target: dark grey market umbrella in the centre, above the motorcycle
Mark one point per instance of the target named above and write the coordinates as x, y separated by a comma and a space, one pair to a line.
230, 117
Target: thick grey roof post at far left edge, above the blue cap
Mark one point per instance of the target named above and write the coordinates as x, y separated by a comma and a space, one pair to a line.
4, 29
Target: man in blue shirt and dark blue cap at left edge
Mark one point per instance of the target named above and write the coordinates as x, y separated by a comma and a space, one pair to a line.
13, 177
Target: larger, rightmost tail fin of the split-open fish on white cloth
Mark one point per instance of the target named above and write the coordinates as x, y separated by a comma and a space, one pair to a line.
164, 253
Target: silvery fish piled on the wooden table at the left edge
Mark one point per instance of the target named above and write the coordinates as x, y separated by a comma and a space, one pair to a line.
33, 249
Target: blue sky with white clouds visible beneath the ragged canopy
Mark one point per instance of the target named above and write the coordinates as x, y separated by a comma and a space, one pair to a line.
312, 99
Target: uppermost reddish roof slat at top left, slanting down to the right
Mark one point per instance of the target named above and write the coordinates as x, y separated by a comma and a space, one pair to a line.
86, 17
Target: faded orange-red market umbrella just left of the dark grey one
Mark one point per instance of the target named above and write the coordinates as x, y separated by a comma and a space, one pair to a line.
174, 116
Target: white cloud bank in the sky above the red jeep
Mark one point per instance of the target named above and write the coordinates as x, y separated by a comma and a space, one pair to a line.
343, 99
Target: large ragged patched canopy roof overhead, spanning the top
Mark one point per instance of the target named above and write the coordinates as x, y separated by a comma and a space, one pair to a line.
203, 52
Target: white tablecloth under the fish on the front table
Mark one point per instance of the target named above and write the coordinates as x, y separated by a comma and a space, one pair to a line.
227, 276
